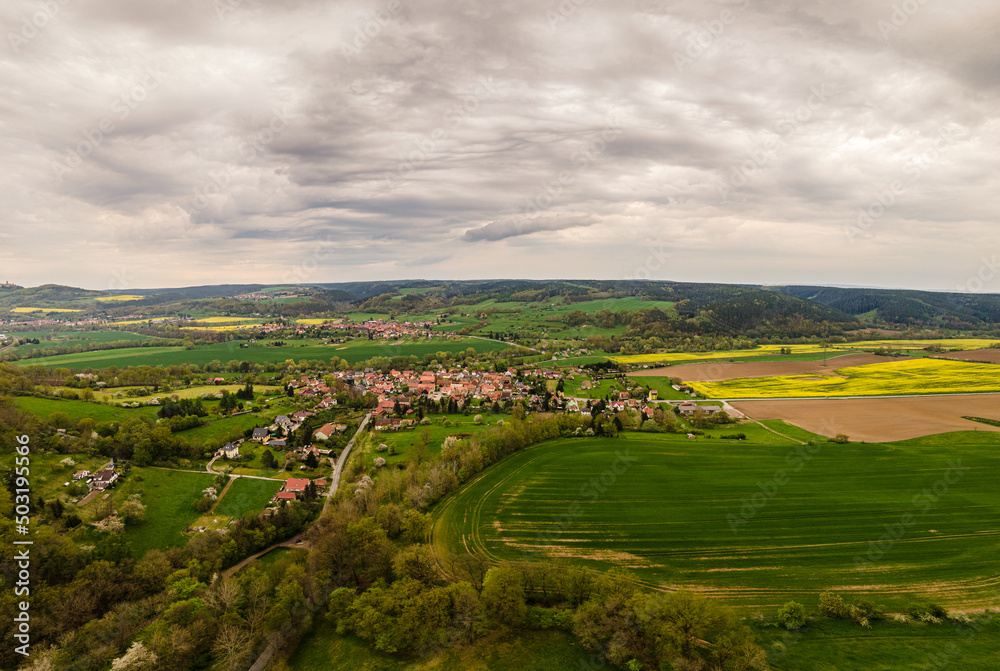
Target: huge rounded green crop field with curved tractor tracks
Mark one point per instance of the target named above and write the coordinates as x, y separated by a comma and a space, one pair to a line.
754, 525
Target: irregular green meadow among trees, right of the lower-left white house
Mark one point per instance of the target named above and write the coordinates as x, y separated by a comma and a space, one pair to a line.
168, 496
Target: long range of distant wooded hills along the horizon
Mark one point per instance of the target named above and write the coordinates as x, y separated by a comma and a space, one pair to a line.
754, 310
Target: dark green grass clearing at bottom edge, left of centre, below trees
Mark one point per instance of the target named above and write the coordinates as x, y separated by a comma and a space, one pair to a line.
552, 650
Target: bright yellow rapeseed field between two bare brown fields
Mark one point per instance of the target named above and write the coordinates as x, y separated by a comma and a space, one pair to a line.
901, 377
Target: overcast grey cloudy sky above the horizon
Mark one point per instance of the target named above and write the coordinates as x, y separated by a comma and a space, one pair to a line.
182, 142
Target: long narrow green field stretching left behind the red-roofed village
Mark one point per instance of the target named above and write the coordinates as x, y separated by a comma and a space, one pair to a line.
357, 350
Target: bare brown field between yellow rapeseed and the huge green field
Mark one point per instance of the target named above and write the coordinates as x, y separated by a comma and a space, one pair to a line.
880, 419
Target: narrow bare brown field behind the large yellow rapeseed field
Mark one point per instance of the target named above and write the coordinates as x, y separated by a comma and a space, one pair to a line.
723, 370
